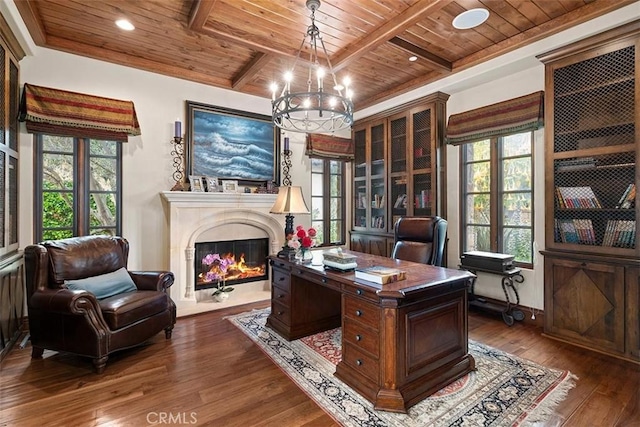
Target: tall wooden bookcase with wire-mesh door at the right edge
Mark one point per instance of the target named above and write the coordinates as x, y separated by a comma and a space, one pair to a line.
592, 144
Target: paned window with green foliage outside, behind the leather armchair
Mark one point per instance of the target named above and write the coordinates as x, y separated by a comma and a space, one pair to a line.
78, 187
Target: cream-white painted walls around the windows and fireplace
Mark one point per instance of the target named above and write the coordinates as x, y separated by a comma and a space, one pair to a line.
159, 100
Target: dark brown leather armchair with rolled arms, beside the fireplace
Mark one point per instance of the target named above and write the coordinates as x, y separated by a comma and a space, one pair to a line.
76, 321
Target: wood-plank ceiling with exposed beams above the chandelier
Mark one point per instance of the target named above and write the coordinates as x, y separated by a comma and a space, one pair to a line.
244, 45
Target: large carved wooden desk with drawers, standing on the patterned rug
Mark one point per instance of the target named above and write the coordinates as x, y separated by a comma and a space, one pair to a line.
401, 342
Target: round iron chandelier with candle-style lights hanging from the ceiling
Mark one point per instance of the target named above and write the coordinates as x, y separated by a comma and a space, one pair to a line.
319, 110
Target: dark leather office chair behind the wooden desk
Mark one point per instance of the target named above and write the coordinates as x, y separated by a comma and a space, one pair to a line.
420, 239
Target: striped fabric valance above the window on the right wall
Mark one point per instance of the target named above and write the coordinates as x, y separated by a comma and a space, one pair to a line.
515, 115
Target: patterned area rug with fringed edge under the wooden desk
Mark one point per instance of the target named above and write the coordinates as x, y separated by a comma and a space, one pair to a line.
504, 390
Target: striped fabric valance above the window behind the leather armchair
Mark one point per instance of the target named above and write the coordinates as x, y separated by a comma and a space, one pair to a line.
59, 112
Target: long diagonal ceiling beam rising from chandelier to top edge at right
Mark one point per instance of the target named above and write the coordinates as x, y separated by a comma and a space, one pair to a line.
387, 31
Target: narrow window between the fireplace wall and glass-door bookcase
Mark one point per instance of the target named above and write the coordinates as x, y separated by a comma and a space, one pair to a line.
327, 200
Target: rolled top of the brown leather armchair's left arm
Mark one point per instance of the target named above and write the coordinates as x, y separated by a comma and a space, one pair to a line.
64, 301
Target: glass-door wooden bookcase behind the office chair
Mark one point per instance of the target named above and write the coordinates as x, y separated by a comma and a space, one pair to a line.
395, 170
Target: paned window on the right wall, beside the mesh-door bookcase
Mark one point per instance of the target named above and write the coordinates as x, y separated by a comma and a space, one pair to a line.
497, 194
